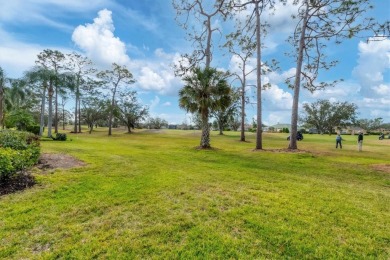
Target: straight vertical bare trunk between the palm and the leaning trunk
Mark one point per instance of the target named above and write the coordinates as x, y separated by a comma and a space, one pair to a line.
259, 141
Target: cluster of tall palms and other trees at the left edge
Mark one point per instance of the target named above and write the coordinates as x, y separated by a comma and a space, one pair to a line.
39, 97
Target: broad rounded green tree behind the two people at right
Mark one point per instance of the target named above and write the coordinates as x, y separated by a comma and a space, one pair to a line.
325, 116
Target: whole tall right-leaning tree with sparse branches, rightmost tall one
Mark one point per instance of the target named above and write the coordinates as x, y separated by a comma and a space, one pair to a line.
318, 22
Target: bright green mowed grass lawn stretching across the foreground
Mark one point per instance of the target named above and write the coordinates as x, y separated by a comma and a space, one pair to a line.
152, 195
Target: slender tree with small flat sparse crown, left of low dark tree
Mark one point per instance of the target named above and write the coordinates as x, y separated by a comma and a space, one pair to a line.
117, 76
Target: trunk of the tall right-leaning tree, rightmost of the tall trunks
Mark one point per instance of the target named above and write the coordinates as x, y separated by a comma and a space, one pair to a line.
294, 113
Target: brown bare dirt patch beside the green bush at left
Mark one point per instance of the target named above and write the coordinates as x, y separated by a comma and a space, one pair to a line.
49, 161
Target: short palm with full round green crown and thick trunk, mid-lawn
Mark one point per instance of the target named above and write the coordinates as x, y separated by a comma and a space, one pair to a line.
204, 92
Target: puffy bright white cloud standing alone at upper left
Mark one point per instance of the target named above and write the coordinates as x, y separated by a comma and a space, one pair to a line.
98, 40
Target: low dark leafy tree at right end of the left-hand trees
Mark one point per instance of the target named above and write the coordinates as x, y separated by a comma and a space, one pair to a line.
130, 111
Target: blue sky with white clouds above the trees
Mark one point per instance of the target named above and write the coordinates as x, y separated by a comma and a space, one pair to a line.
144, 36
